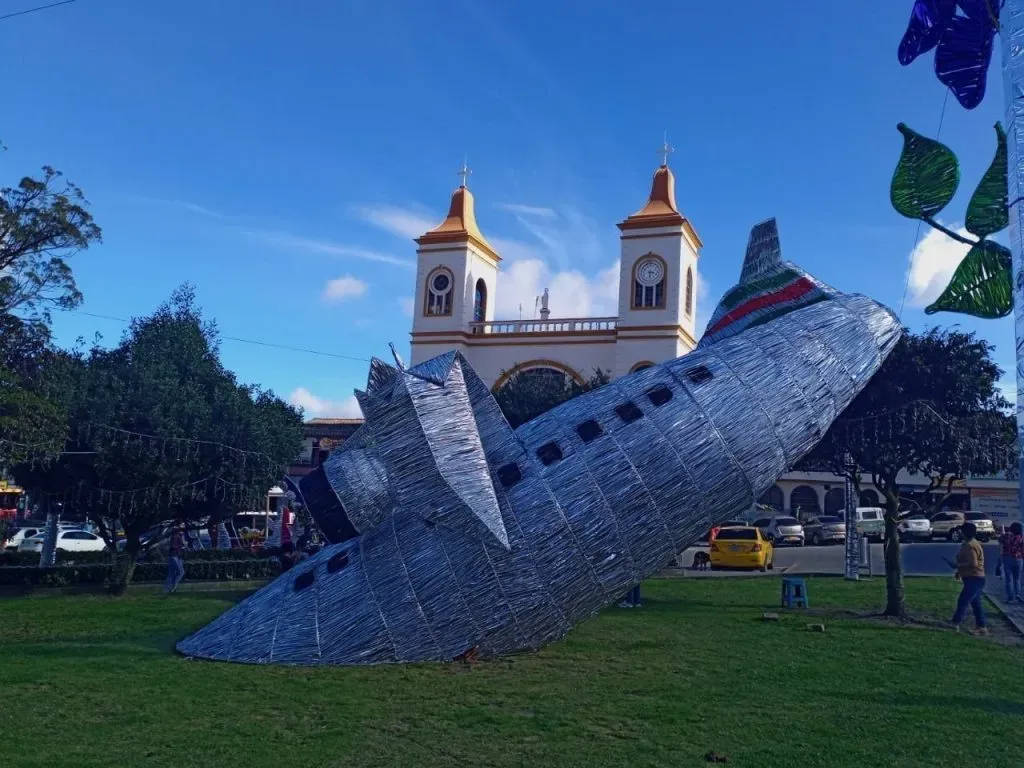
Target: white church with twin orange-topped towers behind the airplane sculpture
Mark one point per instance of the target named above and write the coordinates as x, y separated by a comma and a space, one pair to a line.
457, 284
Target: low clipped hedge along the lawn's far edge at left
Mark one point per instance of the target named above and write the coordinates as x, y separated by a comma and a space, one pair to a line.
100, 573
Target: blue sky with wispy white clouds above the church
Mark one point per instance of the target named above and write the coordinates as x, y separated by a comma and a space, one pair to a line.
281, 156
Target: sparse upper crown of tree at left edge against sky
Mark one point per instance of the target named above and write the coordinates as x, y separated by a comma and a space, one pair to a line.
44, 223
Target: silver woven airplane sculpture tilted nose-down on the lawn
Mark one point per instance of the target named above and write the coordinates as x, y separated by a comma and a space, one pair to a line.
453, 534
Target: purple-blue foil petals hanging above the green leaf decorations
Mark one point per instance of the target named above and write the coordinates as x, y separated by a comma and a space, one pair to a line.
962, 32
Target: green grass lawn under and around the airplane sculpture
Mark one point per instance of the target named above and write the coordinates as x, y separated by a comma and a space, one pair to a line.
91, 681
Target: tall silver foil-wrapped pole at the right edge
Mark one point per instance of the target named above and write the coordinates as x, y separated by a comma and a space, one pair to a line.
1012, 36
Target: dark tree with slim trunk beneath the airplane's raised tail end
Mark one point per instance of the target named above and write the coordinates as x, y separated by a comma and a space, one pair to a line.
934, 410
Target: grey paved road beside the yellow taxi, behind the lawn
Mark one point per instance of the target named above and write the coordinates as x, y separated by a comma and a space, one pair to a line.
919, 560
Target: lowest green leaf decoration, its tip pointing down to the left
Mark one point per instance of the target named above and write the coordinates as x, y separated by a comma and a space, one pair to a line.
982, 286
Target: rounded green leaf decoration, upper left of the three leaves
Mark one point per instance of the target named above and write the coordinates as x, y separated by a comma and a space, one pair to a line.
926, 178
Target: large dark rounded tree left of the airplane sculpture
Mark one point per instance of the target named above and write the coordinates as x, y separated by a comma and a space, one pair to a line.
223, 444
